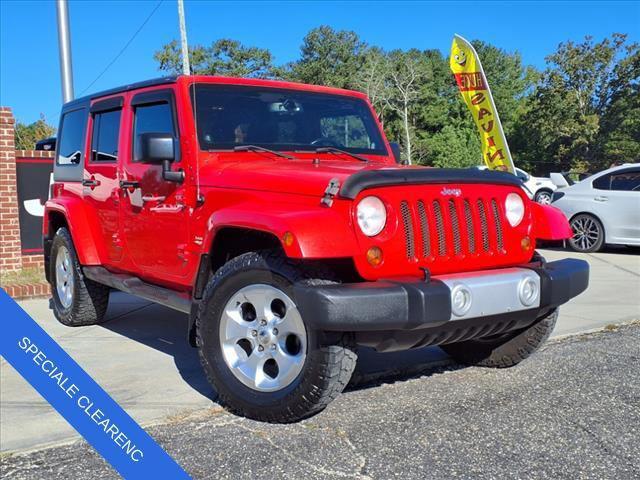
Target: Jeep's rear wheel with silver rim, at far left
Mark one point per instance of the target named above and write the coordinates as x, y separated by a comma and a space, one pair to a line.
77, 301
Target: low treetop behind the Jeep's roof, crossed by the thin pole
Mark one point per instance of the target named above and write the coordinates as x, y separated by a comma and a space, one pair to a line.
224, 57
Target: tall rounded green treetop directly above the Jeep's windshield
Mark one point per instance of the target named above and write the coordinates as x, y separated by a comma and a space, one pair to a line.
329, 57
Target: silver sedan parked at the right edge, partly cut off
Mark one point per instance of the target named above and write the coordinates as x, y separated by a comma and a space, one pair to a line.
603, 208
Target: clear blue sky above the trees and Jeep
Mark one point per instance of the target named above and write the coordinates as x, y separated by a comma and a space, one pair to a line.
30, 72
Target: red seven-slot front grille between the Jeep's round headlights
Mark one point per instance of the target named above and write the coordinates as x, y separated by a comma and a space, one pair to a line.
476, 220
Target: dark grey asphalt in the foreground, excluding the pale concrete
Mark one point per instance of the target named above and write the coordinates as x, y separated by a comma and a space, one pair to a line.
572, 411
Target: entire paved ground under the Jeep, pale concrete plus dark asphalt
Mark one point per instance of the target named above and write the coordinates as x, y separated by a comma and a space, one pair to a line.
570, 412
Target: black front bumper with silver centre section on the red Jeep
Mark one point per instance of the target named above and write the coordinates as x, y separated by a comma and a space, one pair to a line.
393, 305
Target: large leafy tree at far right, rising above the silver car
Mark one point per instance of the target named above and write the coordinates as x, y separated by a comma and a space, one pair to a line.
584, 110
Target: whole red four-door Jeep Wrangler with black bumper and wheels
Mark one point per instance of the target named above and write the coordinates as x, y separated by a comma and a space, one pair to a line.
277, 216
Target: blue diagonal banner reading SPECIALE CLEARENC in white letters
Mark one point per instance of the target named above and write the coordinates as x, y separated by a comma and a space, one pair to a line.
79, 399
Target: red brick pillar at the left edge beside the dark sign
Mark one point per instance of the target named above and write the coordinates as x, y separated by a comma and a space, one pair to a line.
10, 253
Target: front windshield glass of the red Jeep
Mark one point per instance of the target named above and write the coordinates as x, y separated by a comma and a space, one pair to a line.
229, 116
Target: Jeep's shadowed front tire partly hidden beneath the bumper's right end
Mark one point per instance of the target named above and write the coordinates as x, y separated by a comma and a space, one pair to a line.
504, 350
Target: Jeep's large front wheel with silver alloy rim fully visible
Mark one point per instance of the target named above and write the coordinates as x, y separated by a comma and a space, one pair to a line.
262, 359
